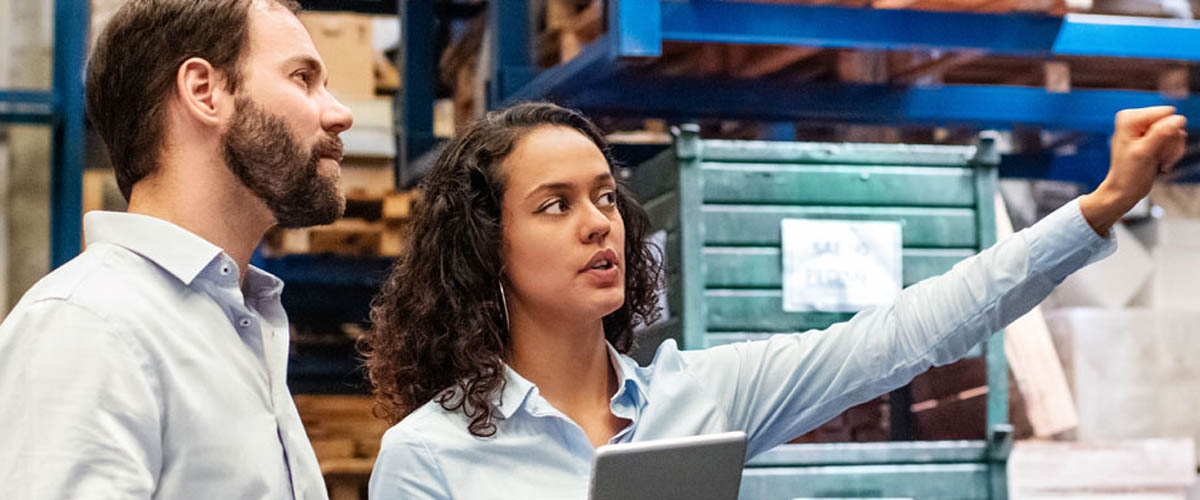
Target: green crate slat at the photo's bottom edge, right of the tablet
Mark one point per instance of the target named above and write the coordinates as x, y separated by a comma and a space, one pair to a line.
968, 481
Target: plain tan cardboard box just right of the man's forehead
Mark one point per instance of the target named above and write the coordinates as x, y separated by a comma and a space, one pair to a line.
344, 41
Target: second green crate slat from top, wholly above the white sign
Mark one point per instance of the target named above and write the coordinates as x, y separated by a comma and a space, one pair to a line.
839, 185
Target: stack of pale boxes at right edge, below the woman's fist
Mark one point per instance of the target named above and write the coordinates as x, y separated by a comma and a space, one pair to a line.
1129, 333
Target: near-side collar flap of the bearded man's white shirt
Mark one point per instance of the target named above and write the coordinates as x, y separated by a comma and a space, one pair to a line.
181, 252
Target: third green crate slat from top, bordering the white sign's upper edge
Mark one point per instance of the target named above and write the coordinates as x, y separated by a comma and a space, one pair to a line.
759, 226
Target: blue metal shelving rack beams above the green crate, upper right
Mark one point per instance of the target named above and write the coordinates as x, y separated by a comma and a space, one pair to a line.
608, 77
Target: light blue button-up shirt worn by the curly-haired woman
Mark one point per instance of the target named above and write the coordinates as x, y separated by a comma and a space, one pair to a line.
773, 390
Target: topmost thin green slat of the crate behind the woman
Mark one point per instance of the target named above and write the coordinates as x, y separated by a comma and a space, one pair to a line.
761, 152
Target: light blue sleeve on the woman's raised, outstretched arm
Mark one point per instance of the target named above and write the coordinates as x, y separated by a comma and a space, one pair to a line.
782, 388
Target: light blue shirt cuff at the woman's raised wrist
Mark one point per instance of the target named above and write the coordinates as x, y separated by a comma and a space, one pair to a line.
1064, 243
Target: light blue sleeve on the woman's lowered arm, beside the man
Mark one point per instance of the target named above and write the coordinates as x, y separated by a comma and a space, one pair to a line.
407, 471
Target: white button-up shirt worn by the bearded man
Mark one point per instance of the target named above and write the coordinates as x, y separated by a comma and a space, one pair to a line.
142, 370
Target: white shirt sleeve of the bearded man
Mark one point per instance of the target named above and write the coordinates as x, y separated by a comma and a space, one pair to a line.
81, 417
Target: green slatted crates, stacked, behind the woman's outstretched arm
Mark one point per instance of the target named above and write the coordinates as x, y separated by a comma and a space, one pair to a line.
722, 202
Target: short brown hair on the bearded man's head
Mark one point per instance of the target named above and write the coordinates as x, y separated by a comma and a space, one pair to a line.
133, 71
